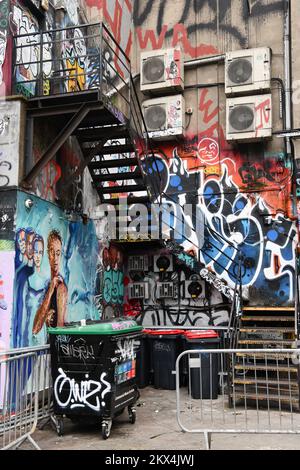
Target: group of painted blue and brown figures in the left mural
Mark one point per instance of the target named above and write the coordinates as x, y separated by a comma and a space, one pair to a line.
40, 302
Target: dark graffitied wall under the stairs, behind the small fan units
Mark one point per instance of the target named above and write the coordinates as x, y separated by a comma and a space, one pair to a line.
207, 307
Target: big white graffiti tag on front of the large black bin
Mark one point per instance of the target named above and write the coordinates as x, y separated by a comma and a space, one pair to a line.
85, 394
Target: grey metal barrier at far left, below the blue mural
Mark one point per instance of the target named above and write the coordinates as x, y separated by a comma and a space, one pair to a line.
25, 394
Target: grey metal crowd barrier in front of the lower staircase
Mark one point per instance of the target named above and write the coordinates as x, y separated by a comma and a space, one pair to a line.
238, 391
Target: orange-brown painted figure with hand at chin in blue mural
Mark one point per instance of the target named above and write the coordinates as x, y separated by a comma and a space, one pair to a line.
53, 308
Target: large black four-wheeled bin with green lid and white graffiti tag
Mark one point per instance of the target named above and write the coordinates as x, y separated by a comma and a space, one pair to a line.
94, 371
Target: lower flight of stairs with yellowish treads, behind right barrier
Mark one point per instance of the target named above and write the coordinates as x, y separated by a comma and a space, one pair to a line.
267, 379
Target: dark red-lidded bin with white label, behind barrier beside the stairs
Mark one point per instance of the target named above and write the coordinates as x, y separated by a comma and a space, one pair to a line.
203, 379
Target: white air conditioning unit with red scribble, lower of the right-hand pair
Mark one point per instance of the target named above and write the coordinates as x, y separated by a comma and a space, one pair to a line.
249, 118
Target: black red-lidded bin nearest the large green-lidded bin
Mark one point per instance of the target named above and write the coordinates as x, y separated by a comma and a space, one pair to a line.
166, 345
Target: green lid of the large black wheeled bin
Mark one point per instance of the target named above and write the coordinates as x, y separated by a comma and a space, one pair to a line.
115, 327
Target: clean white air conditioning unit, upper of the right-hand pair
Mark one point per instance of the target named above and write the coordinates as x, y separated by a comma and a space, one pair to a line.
248, 71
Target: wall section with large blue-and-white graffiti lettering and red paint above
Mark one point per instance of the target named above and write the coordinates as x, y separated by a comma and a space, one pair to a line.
244, 195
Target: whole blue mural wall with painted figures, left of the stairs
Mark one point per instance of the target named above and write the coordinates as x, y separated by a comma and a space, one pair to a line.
55, 266
